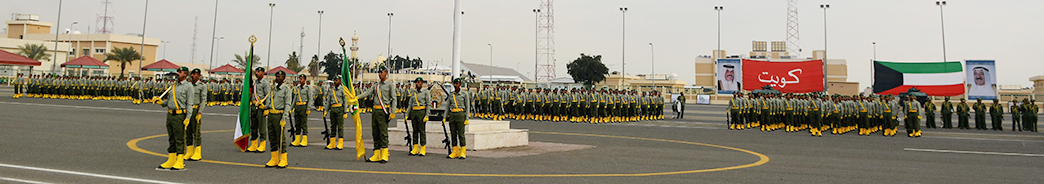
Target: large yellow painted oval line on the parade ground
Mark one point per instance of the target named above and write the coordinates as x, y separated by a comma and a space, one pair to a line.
763, 160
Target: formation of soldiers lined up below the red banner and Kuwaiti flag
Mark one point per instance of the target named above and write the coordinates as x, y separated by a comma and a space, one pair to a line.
867, 114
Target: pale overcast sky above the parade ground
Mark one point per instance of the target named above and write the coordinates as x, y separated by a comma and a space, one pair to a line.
905, 31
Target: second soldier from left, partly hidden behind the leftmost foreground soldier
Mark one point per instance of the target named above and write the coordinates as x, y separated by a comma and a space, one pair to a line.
193, 140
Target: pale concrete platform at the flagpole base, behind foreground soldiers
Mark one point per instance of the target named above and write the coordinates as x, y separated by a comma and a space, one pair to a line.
481, 134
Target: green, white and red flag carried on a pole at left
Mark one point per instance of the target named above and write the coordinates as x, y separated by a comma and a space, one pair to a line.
243, 134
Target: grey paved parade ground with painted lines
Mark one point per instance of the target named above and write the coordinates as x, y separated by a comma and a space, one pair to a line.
78, 142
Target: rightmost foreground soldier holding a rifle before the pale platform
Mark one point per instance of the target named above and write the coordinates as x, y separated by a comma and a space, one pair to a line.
458, 117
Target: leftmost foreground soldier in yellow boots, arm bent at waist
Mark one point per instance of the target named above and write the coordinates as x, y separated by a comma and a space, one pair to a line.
178, 104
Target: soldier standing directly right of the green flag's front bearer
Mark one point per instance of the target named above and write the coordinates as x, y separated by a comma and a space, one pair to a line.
302, 104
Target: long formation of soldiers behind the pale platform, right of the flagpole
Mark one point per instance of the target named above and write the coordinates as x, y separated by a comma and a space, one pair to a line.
575, 105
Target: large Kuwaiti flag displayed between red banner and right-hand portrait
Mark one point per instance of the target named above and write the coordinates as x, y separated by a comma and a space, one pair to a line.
936, 79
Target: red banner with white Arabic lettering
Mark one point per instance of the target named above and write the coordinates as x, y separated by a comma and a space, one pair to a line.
786, 77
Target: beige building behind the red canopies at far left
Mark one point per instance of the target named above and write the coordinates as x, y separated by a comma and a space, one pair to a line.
30, 28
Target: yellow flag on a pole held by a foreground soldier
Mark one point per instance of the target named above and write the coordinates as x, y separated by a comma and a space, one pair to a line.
346, 83
